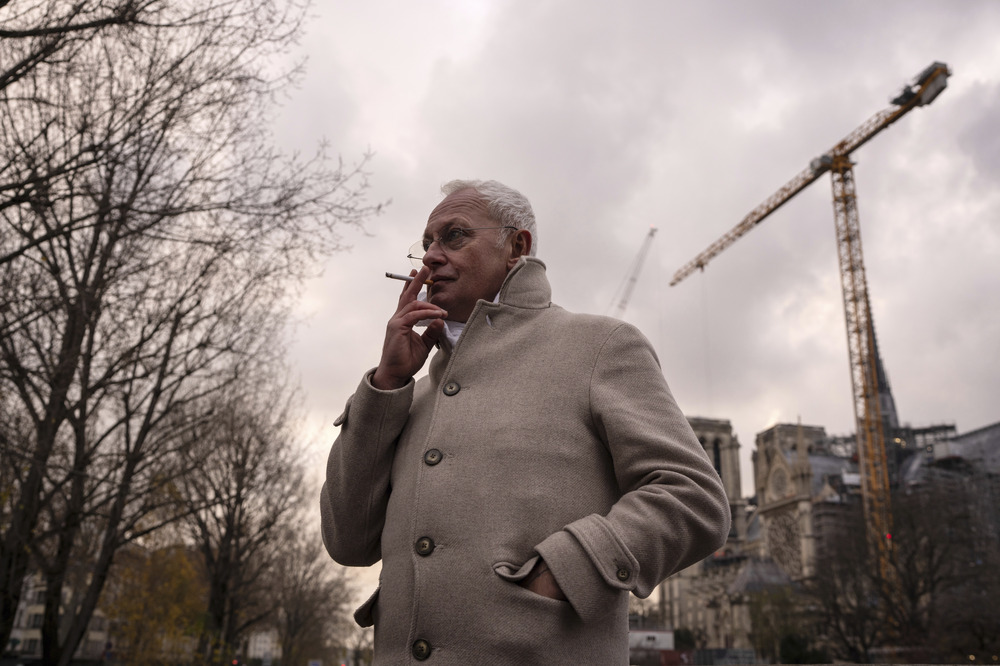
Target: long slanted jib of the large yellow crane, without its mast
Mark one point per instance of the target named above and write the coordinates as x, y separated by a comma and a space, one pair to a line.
929, 84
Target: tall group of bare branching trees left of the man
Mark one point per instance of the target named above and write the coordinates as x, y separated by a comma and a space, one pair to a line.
151, 240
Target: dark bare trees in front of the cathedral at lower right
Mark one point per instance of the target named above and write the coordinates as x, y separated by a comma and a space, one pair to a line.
936, 603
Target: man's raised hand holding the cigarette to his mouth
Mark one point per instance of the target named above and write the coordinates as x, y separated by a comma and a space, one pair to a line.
405, 351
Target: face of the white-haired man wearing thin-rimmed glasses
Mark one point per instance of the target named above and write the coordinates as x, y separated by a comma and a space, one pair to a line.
476, 269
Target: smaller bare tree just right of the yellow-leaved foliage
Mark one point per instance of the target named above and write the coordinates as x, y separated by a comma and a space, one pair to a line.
246, 487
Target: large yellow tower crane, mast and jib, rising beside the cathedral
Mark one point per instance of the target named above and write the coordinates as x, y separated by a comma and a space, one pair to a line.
871, 437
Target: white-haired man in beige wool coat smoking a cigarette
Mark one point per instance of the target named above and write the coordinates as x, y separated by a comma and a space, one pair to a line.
536, 476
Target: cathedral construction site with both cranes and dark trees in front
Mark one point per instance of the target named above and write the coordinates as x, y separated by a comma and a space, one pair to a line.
882, 545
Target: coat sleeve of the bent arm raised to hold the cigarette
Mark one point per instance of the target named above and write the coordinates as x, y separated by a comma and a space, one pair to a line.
356, 491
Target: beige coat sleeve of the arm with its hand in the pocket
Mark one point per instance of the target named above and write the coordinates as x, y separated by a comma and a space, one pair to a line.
673, 510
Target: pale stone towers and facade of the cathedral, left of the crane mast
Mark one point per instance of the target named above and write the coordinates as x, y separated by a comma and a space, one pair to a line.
802, 478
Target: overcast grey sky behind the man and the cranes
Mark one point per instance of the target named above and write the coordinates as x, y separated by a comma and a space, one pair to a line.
611, 117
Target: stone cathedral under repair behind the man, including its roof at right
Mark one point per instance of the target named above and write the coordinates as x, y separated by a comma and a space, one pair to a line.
804, 480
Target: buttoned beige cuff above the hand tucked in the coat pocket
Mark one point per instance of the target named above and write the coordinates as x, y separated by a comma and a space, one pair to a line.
591, 566
